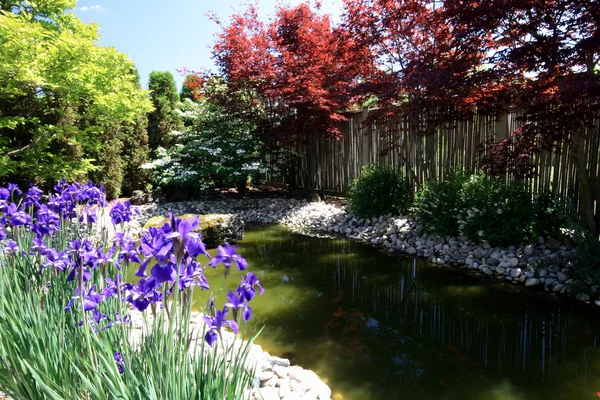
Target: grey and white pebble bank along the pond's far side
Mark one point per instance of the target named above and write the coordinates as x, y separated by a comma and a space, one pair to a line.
538, 266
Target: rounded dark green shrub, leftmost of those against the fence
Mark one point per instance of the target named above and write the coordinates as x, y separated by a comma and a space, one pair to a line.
379, 191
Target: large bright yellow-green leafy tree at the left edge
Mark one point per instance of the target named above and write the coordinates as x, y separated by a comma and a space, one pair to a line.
64, 100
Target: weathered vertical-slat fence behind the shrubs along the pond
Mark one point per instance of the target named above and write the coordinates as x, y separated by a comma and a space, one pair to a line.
330, 164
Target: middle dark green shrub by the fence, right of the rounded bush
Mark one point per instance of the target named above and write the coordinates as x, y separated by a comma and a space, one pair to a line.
438, 203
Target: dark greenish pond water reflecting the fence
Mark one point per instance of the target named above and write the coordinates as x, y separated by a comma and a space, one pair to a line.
380, 327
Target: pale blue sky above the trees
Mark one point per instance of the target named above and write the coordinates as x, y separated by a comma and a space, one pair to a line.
168, 35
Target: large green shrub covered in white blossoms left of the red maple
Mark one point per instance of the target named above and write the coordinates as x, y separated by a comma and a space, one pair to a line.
213, 150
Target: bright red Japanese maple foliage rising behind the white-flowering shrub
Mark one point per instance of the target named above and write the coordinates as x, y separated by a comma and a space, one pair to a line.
298, 67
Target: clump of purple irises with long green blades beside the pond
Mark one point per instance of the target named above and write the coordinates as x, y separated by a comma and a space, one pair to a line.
66, 309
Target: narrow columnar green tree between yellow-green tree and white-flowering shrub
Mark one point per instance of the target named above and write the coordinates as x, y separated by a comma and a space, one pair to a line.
163, 120
